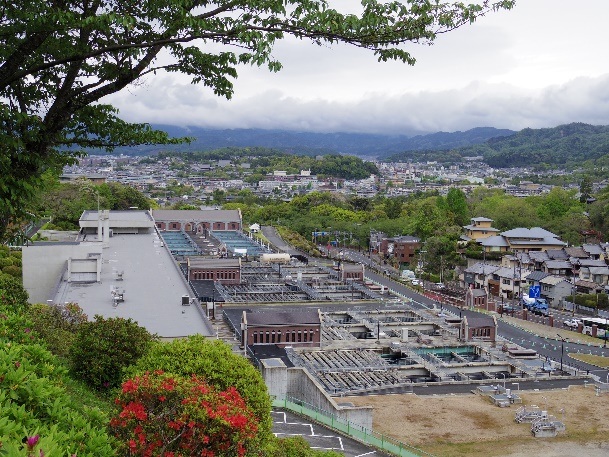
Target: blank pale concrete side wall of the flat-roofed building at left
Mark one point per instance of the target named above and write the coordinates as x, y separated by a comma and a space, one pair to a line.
43, 263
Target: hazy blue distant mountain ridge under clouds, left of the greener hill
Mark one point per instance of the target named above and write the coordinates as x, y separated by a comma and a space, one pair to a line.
310, 143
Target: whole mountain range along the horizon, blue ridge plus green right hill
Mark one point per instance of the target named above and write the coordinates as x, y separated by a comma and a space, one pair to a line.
568, 144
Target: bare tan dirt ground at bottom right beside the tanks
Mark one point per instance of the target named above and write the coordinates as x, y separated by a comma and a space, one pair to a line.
471, 426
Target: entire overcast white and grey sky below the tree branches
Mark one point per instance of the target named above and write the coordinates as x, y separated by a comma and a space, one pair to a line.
541, 64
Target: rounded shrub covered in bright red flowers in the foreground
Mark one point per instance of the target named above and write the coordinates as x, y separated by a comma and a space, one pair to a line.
168, 416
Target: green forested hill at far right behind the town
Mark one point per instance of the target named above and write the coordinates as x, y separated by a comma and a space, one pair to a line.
563, 145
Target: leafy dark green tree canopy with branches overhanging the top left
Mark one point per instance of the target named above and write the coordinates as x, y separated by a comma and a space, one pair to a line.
59, 58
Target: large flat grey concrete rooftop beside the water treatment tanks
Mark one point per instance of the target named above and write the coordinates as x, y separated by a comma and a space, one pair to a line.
153, 288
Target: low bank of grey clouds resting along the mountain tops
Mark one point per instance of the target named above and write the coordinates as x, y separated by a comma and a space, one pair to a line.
474, 105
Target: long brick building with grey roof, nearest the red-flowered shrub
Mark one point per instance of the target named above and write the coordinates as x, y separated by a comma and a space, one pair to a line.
298, 328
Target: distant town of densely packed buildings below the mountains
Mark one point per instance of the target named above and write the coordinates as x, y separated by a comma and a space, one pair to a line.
158, 179
